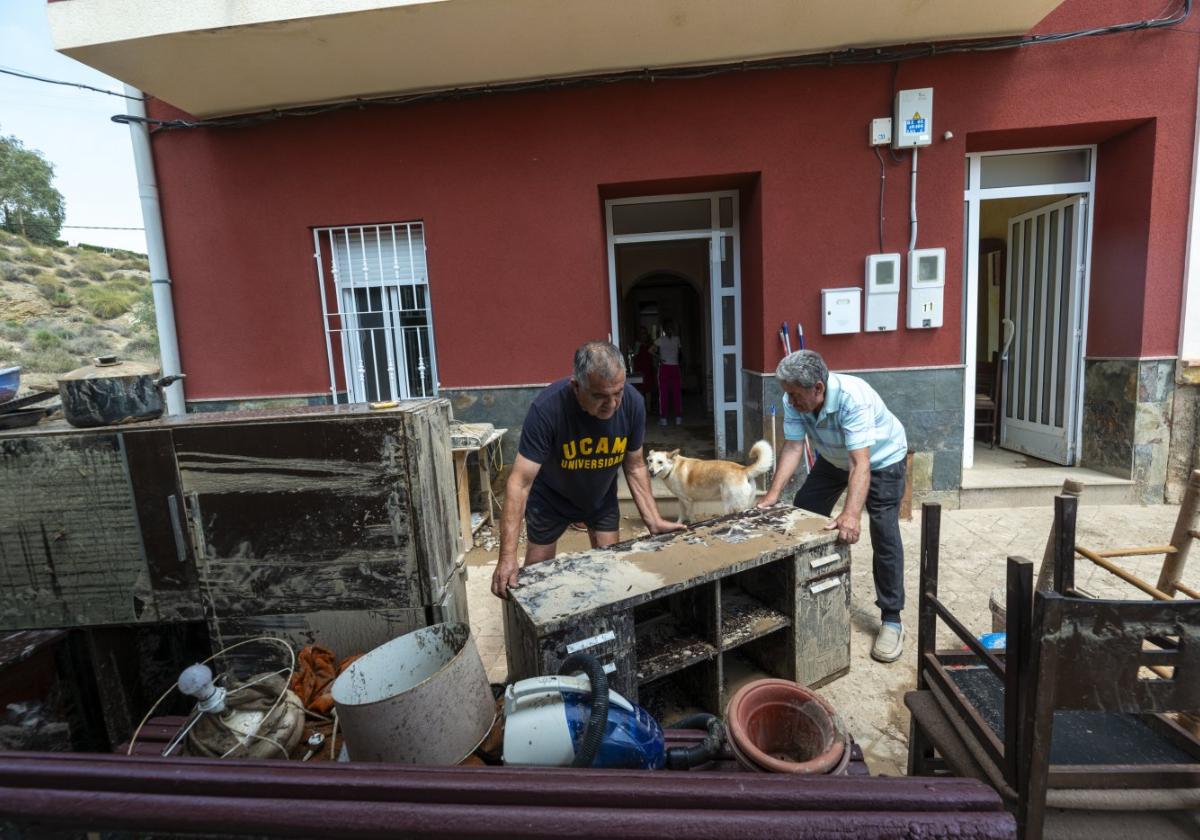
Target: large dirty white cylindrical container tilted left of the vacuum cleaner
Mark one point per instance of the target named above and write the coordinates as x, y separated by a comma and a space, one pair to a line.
422, 699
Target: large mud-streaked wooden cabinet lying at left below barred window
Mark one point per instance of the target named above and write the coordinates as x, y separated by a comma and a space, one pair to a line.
331, 525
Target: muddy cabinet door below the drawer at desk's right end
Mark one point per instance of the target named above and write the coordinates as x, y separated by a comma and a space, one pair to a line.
823, 629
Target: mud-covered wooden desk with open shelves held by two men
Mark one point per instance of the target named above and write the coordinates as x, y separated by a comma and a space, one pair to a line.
681, 621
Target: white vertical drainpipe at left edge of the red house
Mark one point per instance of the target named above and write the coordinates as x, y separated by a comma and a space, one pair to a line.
157, 251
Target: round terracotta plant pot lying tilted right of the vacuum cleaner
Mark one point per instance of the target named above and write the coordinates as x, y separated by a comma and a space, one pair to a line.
779, 727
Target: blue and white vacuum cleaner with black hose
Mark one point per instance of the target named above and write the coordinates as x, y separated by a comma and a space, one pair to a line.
578, 722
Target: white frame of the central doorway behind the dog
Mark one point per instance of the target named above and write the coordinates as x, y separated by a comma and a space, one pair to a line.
713, 233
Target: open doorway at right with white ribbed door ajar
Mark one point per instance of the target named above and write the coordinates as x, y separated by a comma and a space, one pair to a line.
1029, 221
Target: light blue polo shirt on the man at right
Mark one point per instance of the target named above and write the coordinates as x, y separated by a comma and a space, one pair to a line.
854, 417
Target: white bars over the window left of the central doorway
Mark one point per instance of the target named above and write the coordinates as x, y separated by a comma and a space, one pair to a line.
376, 308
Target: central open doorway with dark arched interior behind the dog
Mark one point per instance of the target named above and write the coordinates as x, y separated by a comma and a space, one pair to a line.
674, 262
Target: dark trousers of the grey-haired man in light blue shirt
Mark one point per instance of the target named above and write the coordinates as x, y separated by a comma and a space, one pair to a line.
820, 494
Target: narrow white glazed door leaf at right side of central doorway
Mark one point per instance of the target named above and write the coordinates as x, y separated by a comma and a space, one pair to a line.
727, 305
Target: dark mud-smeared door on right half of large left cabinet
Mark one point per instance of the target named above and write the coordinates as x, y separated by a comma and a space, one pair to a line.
302, 518
